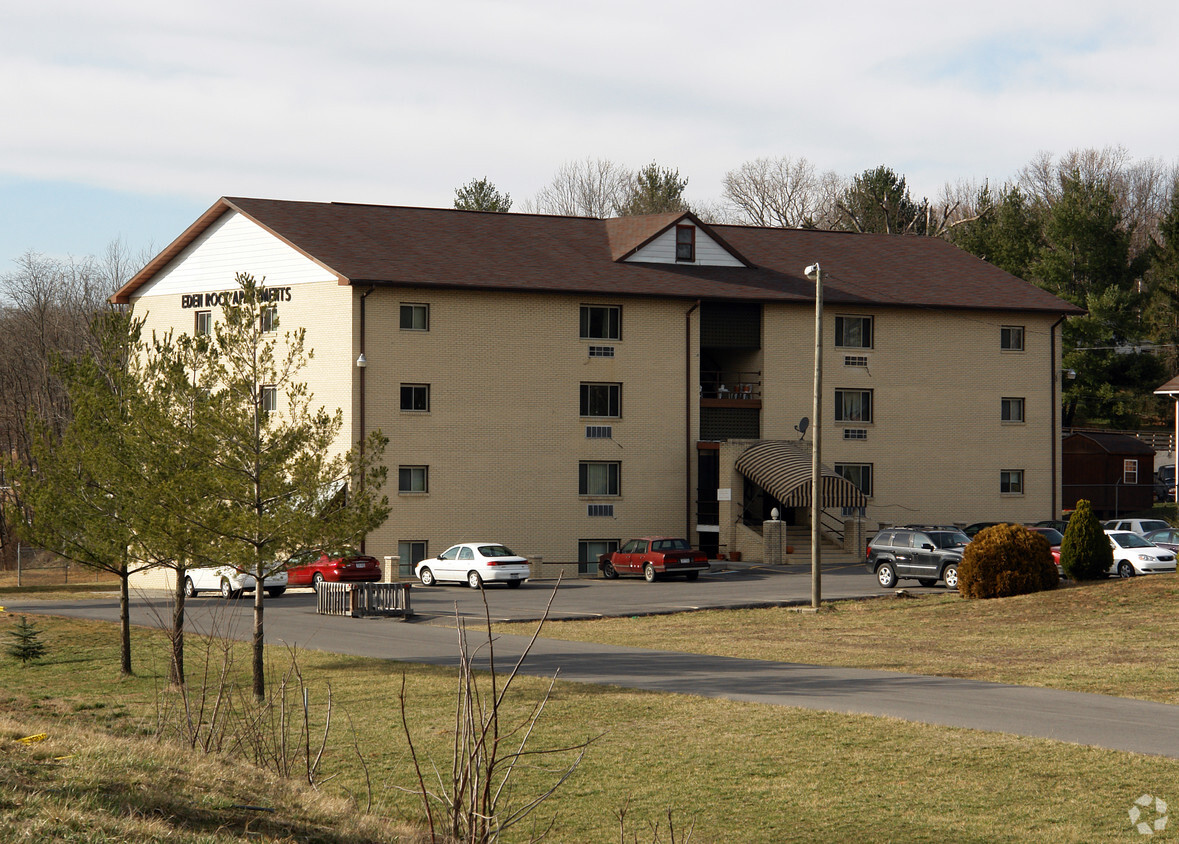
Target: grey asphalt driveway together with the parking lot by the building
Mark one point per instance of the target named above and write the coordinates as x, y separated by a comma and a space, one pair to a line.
1090, 720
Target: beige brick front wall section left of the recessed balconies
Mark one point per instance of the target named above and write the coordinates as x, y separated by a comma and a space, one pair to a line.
504, 436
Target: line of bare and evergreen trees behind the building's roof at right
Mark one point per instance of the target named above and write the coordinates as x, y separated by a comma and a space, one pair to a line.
1094, 227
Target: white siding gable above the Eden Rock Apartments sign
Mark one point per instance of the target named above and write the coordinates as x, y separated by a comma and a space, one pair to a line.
230, 246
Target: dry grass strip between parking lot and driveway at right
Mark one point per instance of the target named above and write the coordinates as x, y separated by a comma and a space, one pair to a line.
1112, 637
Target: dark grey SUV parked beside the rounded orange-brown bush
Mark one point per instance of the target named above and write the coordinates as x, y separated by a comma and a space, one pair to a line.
926, 556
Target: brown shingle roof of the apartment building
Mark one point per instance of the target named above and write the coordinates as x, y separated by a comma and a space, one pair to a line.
384, 245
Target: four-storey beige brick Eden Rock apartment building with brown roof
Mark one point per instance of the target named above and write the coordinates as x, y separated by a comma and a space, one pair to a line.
562, 385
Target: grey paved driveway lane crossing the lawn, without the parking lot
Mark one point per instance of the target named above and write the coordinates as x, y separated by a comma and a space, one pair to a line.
1089, 720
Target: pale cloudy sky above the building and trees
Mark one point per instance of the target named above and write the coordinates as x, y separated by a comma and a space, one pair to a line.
127, 120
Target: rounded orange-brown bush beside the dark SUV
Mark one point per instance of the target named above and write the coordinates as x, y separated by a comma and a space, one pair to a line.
1007, 561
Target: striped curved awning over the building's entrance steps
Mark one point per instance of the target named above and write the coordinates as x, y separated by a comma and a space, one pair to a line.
783, 469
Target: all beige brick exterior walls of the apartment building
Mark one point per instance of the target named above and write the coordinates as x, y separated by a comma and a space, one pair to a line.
504, 436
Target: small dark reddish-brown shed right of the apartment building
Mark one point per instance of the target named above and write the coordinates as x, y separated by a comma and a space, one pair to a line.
1115, 472
